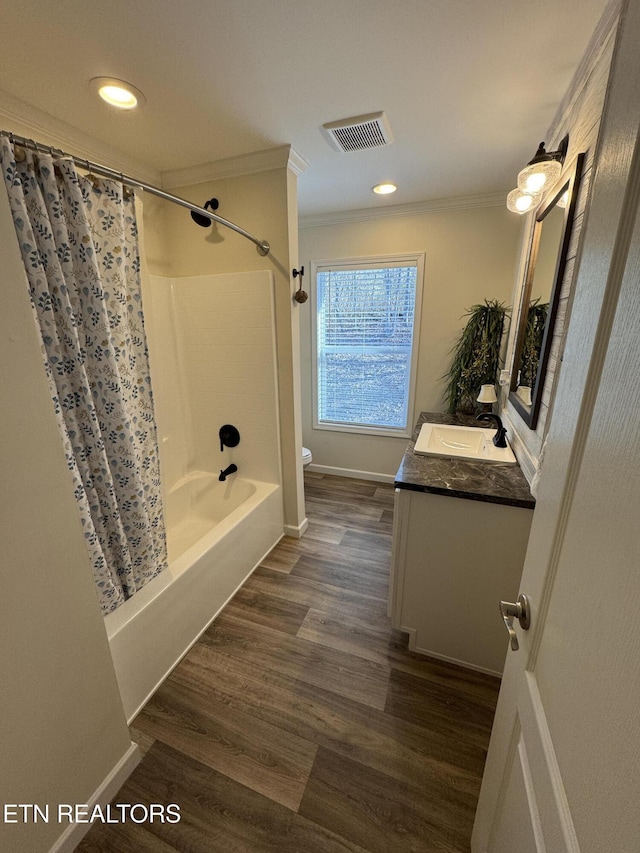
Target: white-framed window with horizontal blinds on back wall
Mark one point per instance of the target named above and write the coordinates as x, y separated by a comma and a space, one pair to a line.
367, 312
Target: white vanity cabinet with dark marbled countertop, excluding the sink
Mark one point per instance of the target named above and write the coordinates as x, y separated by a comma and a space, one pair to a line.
460, 533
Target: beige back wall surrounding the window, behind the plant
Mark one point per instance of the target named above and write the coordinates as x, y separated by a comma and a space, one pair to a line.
471, 255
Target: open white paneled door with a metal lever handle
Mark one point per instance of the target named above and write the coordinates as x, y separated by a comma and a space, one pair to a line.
563, 770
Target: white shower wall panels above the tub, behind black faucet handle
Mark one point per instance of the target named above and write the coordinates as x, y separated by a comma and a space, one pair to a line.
212, 352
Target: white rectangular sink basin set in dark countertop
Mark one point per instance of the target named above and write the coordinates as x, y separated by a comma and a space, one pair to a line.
462, 443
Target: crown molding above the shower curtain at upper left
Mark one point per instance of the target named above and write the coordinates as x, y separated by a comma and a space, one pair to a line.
24, 119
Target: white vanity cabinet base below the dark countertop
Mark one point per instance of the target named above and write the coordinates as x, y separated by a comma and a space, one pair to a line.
453, 561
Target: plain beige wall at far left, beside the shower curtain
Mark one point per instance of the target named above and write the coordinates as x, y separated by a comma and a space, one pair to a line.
63, 729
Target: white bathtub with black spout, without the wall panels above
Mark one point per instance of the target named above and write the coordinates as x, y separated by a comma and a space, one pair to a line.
217, 533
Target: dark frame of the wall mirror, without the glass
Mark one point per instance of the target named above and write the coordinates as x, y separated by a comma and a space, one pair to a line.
570, 182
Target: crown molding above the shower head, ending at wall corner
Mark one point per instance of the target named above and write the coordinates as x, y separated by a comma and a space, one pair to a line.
281, 157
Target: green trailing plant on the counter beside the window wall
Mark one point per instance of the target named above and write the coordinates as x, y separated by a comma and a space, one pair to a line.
476, 358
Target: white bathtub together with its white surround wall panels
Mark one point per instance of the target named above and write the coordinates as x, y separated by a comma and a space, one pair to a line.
213, 362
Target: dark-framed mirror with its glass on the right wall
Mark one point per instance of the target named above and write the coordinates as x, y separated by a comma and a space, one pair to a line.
540, 295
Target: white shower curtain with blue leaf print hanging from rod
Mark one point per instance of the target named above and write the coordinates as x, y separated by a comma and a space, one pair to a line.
78, 239
